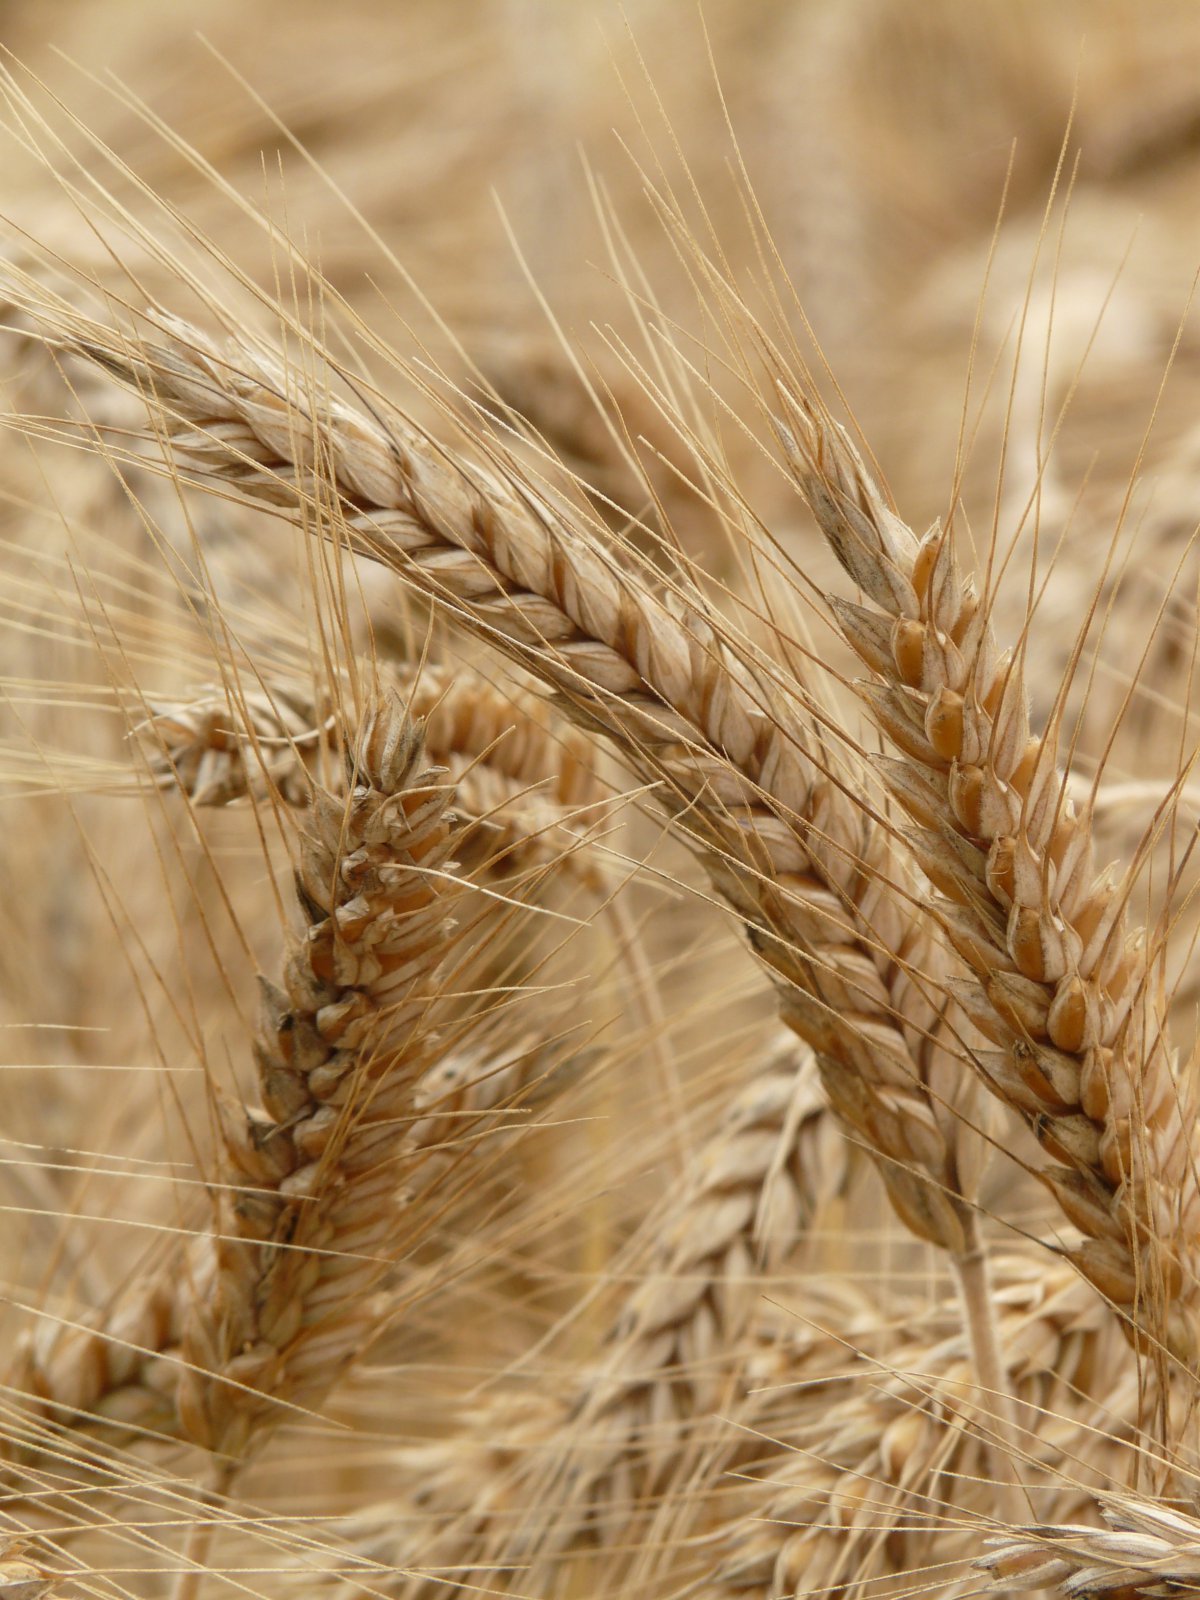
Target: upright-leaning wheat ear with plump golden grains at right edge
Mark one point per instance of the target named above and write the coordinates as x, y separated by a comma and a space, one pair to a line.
1060, 983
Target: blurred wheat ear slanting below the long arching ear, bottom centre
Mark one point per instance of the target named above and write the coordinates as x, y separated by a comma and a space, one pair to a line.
740, 1209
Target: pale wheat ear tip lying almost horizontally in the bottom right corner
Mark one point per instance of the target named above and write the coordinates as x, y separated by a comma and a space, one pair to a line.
1146, 1550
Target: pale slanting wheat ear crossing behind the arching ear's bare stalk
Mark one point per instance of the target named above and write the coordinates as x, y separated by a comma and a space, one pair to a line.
886, 1474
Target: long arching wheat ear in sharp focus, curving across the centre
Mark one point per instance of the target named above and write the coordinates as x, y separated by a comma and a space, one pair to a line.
815, 882
